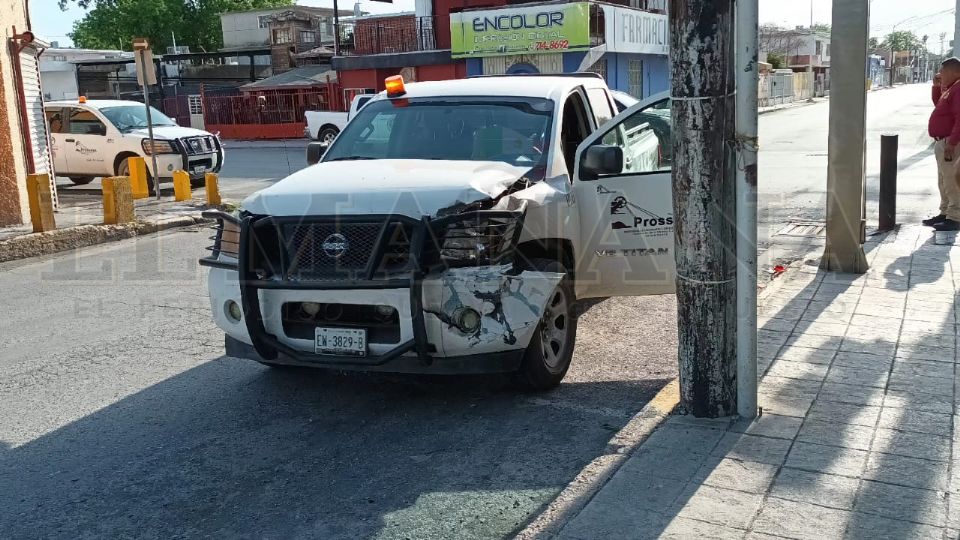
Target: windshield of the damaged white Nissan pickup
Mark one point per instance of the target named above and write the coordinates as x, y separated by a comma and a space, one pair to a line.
513, 130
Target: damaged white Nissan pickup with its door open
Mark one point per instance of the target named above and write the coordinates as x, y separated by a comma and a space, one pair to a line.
451, 227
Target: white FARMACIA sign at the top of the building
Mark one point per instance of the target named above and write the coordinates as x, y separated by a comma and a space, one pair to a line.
635, 31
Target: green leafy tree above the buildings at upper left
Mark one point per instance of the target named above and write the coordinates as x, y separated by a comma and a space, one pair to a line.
114, 23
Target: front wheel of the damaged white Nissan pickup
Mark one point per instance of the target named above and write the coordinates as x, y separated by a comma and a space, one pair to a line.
548, 356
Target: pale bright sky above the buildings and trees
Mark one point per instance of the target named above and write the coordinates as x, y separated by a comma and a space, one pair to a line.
931, 17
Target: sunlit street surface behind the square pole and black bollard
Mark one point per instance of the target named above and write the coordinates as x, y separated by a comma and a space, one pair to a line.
793, 167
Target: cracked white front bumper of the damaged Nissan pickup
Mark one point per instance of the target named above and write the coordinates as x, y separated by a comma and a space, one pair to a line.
427, 334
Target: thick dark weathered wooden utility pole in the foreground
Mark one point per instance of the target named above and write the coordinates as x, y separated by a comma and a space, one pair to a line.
704, 201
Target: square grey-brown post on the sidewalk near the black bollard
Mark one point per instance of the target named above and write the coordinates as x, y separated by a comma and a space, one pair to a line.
847, 139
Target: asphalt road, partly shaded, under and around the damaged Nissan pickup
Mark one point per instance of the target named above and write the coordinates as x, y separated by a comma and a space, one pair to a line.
122, 418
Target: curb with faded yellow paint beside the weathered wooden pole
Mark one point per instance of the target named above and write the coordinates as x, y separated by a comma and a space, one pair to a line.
595, 475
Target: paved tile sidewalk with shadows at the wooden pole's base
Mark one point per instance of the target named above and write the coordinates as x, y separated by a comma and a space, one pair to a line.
856, 439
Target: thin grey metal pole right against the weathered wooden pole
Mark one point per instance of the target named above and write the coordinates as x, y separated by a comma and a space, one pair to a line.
746, 137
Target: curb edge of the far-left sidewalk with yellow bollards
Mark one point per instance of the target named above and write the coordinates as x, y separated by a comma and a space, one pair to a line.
46, 243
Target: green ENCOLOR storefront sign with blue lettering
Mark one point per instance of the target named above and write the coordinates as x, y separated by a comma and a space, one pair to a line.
522, 30
